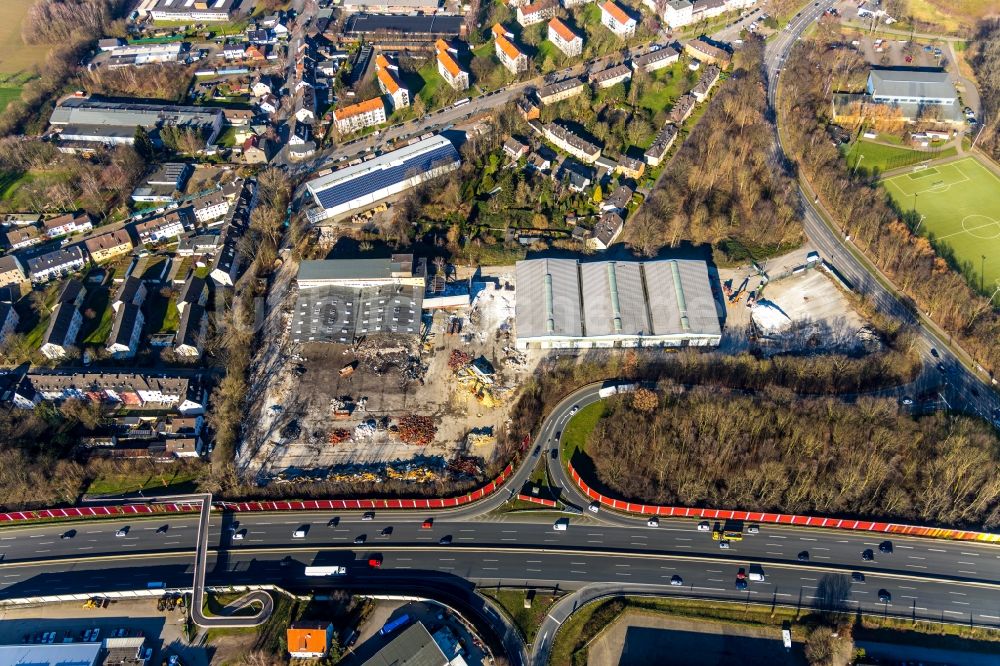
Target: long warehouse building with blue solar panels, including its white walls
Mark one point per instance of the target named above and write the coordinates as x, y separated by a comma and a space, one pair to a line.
365, 184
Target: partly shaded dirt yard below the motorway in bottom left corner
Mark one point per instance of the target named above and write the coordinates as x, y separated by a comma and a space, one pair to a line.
164, 632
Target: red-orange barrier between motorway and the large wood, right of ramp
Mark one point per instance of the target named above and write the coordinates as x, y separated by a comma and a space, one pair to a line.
780, 518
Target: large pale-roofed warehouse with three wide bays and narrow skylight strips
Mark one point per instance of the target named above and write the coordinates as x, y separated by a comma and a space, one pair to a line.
566, 304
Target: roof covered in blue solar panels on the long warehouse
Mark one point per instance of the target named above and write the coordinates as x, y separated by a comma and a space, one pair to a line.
392, 168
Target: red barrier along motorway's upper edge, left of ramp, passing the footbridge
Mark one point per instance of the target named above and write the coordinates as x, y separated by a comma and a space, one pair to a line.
302, 505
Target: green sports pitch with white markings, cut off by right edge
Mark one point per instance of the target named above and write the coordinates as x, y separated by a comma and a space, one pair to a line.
961, 204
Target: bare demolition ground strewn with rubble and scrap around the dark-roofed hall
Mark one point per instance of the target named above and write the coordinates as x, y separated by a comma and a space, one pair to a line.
418, 409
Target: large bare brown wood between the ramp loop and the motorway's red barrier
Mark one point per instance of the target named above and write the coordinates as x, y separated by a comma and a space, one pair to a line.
777, 452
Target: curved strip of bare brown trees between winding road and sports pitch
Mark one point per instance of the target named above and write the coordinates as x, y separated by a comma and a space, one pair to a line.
863, 210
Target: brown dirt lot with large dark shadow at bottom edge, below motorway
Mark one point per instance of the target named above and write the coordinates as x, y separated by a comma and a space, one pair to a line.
637, 639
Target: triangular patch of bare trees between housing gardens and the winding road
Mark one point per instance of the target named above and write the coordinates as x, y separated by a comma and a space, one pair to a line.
722, 184
